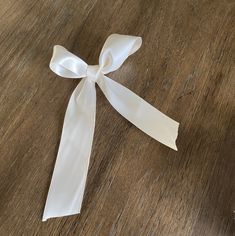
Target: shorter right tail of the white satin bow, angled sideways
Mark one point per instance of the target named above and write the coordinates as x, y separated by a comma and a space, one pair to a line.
144, 116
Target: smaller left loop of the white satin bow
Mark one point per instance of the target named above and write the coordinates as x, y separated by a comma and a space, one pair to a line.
66, 64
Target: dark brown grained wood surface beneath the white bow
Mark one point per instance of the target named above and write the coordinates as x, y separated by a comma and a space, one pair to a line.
135, 185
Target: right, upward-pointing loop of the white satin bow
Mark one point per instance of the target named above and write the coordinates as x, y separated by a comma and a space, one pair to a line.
116, 50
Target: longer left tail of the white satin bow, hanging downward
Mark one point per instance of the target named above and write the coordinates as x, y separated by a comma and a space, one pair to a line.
69, 177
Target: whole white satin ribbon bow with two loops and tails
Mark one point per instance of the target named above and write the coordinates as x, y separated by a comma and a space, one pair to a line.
70, 173
